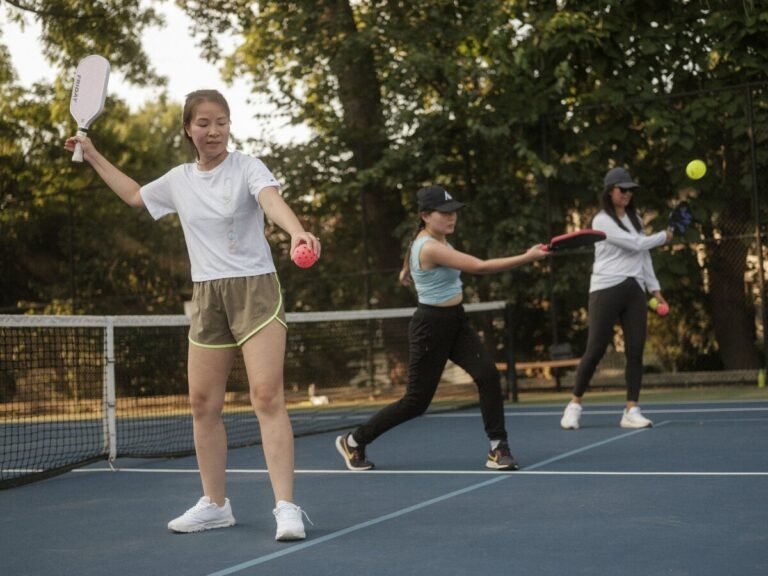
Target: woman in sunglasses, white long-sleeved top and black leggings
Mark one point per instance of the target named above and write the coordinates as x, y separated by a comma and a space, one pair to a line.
621, 276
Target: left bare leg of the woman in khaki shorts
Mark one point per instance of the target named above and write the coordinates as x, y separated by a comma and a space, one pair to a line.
208, 370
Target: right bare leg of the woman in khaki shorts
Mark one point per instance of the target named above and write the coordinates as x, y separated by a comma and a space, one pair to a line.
264, 355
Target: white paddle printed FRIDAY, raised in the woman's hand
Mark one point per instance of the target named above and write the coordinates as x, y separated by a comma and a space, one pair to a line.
89, 91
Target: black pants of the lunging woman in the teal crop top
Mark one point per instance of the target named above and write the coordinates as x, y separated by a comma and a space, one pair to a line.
438, 334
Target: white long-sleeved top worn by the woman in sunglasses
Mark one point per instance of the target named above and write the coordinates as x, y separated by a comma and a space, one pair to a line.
623, 255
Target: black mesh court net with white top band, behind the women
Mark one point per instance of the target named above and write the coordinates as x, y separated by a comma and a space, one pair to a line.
77, 389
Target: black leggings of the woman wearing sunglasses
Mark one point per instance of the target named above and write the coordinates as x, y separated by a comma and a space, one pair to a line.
624, 303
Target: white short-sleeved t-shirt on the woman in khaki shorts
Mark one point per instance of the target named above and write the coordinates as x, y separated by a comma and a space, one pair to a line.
220, 214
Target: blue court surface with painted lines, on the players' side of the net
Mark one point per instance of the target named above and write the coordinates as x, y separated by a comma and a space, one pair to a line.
684, 498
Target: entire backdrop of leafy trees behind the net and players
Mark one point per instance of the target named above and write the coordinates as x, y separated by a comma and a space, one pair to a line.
517, 106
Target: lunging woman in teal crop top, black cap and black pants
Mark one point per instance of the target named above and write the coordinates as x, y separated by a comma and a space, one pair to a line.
439, 331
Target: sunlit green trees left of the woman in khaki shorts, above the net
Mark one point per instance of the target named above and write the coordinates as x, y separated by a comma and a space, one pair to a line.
68, 244
